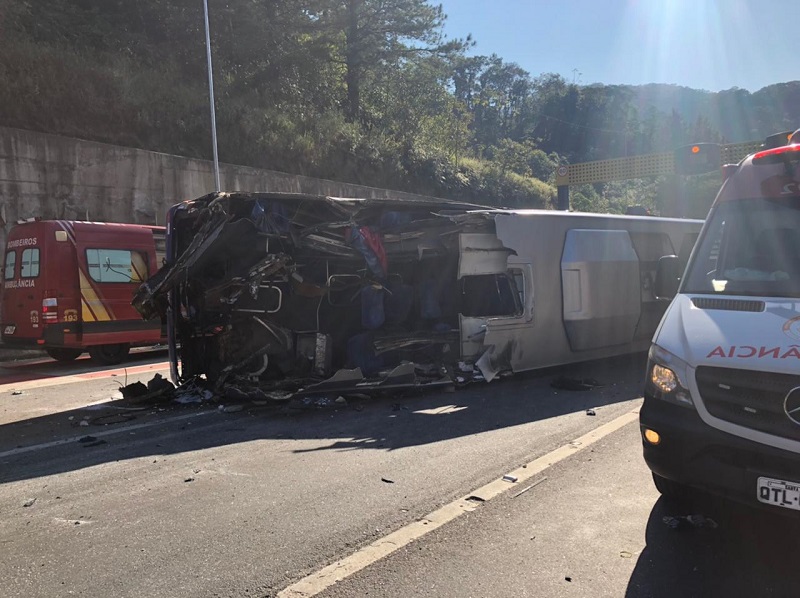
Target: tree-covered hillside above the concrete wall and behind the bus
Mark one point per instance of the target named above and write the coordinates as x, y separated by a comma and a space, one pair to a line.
363, 91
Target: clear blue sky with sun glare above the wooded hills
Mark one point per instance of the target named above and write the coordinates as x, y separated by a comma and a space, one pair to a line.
703, 44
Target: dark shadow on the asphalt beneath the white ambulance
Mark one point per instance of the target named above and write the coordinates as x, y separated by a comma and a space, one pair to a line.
751, 552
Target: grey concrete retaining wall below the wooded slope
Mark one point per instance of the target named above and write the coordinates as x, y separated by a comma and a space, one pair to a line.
49, 176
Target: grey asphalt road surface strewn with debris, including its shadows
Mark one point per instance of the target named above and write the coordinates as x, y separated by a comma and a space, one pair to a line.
391, 496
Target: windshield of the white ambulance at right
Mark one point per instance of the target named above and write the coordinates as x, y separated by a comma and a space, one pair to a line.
751, 247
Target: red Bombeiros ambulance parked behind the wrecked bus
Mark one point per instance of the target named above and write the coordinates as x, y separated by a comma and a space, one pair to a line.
67, 287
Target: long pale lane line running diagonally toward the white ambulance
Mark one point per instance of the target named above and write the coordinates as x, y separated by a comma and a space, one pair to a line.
319, 581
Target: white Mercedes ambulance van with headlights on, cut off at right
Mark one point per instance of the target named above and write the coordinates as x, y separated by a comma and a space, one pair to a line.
722, 395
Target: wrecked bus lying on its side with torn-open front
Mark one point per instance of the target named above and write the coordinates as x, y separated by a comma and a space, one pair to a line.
287, 294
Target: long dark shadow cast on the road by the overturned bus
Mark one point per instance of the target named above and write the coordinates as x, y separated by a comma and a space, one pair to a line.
386, 423
